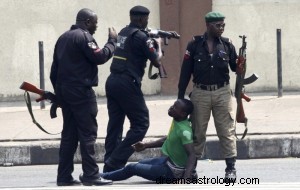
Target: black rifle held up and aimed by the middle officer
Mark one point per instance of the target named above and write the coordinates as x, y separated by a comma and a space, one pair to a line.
166, 35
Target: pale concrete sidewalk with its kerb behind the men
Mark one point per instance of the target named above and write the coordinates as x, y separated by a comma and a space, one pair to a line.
274, 130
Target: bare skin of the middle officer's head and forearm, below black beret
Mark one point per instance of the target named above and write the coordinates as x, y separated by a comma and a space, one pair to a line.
142, 22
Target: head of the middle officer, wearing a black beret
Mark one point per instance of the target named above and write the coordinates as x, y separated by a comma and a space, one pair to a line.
139, 15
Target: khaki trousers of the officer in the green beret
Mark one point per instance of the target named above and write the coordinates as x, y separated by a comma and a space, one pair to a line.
219, 102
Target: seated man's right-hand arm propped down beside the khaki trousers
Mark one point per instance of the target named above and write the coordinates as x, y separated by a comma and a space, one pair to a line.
190, 163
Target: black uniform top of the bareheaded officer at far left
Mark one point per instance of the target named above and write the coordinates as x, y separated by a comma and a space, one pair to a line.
76, 56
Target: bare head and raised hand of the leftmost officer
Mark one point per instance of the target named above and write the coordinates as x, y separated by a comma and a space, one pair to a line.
89, 20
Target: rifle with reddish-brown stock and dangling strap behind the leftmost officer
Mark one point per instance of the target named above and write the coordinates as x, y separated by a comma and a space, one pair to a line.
45, 95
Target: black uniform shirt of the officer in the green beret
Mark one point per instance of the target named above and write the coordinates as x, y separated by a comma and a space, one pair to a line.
207, 69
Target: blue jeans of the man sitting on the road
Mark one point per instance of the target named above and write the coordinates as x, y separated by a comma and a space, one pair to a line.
152, 169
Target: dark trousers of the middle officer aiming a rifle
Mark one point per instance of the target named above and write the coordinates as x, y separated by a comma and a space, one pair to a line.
124, 98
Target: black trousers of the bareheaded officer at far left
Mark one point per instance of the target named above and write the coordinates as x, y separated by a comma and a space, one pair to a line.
79, 109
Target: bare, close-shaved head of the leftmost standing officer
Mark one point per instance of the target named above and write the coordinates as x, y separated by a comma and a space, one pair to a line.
87, 19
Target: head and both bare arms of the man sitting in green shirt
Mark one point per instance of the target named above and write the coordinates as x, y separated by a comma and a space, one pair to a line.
175, 111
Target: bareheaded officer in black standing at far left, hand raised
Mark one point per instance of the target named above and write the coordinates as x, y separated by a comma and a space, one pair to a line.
73, 74
